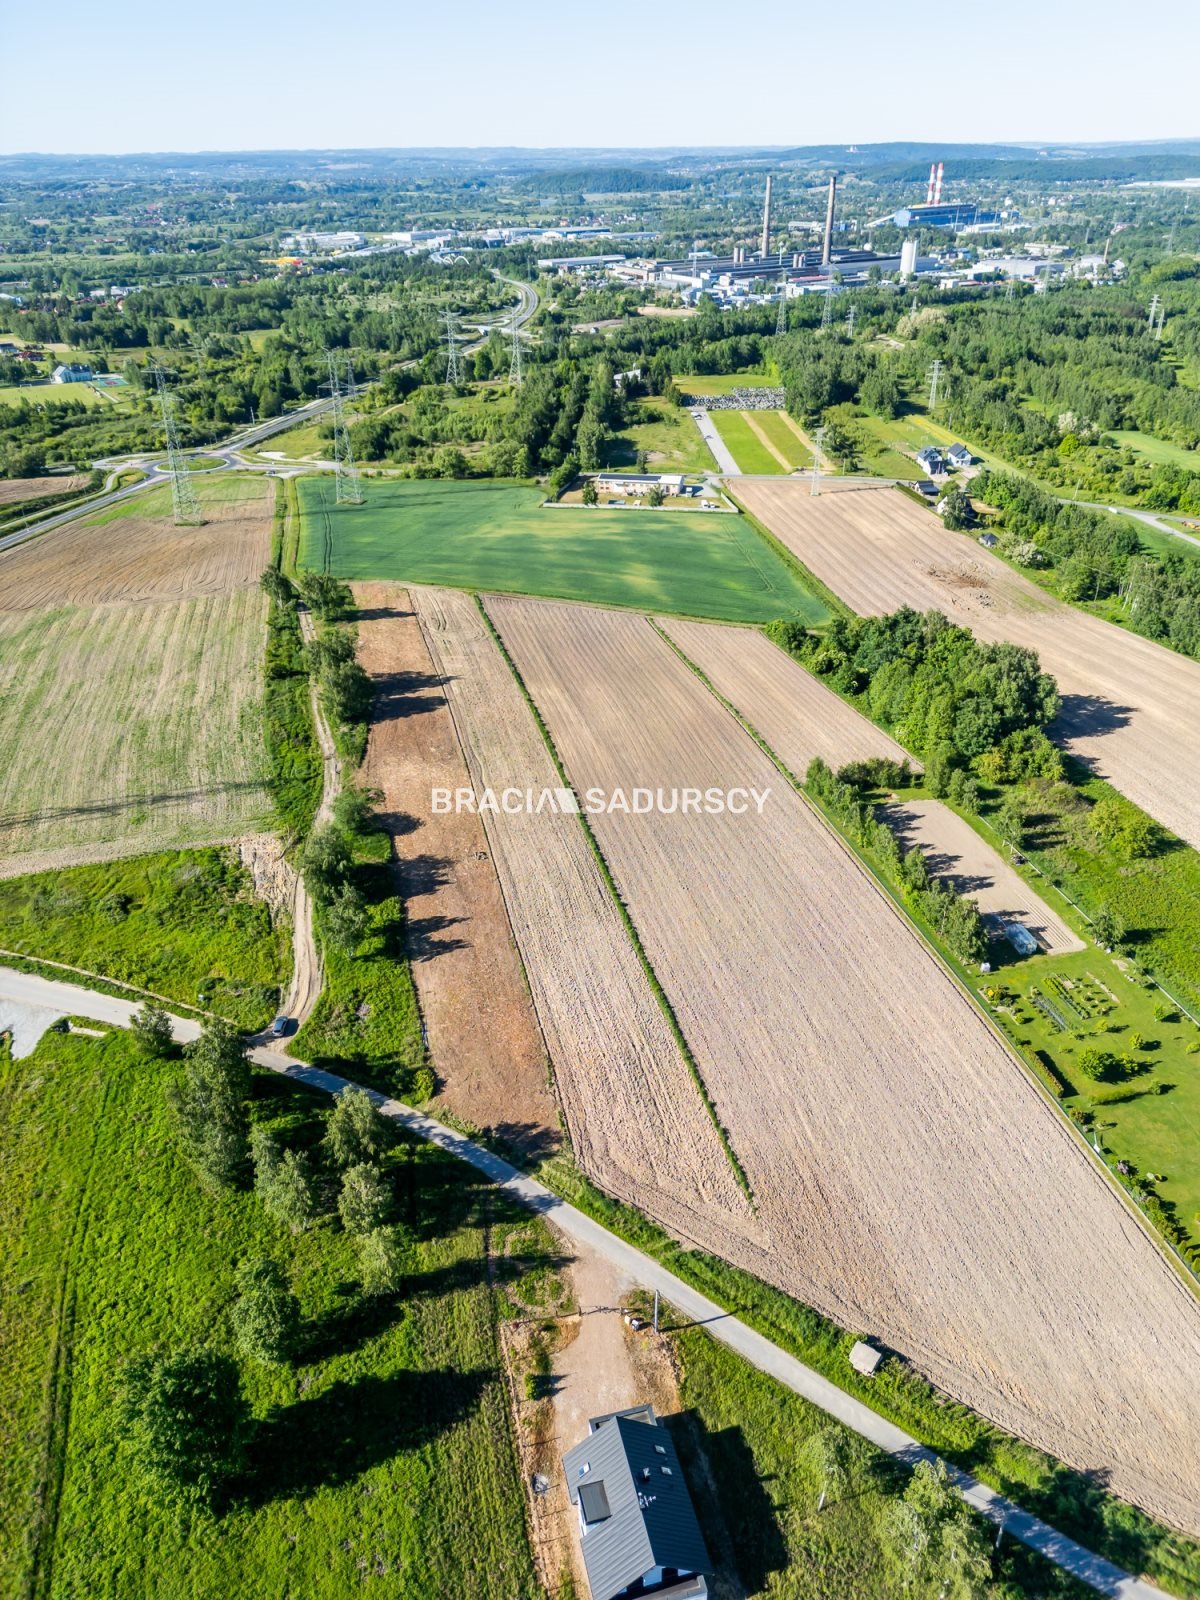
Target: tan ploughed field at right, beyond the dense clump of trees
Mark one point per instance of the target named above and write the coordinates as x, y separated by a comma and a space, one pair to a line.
1130, 708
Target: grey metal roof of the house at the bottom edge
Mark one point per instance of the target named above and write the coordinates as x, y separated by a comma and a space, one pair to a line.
652, 1522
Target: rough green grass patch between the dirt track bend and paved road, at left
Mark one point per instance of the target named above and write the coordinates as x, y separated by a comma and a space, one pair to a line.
178, 924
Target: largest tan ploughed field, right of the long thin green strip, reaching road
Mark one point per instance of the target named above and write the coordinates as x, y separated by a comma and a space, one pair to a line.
913, 1180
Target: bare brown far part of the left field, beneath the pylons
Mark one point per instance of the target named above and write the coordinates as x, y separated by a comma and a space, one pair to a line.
137, 559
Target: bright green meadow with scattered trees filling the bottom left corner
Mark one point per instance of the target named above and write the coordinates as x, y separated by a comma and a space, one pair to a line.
382, 1458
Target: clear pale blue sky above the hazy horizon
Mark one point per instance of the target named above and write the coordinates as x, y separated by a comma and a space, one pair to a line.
591, 73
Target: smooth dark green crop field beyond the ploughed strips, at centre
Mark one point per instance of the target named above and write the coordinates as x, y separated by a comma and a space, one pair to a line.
500, 537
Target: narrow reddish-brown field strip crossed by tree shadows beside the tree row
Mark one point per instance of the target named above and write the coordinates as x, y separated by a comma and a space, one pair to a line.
484, 1036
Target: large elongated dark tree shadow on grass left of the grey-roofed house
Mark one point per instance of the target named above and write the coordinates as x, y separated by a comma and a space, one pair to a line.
354, 1426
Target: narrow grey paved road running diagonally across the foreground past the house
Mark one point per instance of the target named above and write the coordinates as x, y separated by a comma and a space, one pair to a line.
1094, 1570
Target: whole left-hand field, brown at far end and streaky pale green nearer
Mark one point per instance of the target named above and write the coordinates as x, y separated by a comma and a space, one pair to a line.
132, 682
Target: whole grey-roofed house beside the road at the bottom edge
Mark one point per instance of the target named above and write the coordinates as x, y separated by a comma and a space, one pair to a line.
638, 1526
